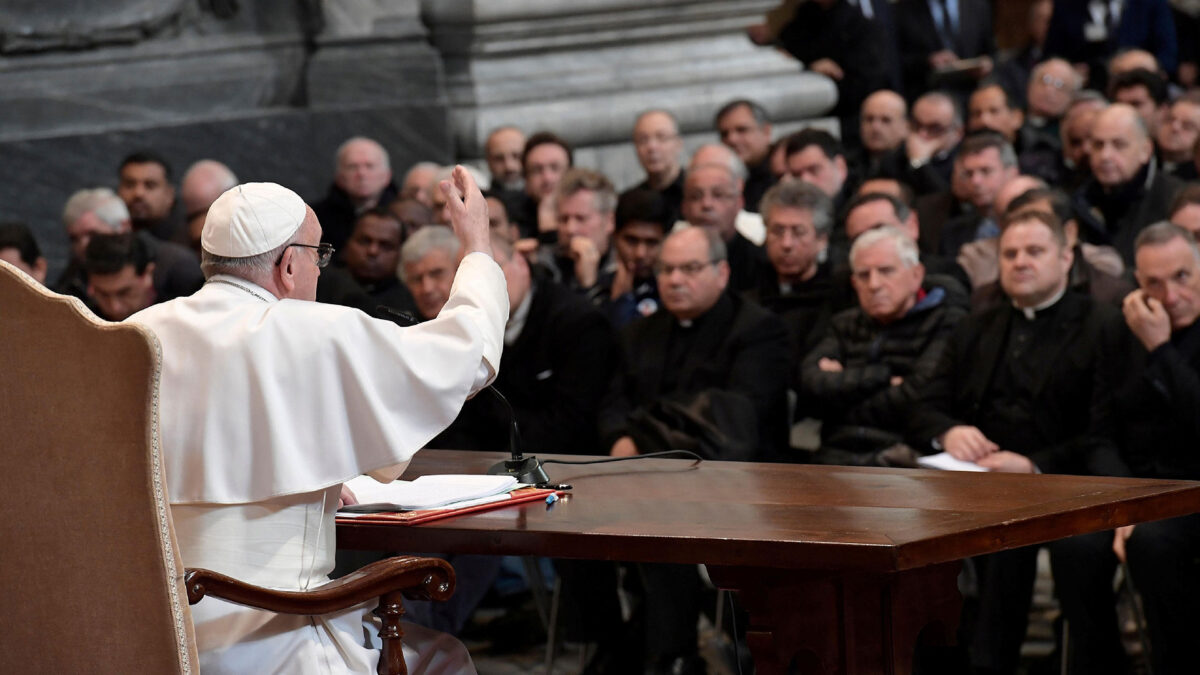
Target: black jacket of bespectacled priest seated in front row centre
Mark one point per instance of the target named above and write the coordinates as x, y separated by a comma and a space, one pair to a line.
739, 363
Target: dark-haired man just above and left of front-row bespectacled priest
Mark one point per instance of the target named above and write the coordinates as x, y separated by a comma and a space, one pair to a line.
644, 219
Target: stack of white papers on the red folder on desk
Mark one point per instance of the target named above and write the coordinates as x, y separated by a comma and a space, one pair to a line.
430, 492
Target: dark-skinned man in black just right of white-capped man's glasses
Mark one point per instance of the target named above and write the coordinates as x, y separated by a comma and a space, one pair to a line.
373, 259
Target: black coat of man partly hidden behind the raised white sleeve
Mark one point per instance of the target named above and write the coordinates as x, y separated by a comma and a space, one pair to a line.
555, 375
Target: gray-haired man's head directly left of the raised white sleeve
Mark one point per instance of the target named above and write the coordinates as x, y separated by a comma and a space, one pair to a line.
428, 264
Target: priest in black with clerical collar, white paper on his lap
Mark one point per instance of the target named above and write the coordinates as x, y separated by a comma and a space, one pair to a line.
1017, 391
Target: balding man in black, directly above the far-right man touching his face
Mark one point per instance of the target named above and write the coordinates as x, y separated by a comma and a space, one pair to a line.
1127, 192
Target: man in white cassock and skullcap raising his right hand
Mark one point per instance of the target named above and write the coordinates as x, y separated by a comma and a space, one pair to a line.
269, 402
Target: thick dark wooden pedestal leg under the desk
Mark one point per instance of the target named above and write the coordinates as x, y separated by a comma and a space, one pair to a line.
844, 624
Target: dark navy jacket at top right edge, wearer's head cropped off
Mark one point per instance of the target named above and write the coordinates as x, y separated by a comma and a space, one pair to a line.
1145, 25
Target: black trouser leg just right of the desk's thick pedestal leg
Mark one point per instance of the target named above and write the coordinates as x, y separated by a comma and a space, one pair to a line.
1006, 592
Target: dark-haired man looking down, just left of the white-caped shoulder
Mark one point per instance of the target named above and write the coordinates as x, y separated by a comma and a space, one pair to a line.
122, 274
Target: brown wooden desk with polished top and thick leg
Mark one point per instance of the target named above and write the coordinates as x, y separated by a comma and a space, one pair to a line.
841, 569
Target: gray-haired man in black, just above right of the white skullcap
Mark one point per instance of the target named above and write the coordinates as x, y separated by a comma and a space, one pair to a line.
362, 182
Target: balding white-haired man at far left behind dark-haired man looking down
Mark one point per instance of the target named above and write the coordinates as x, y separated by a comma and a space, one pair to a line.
177, 271
